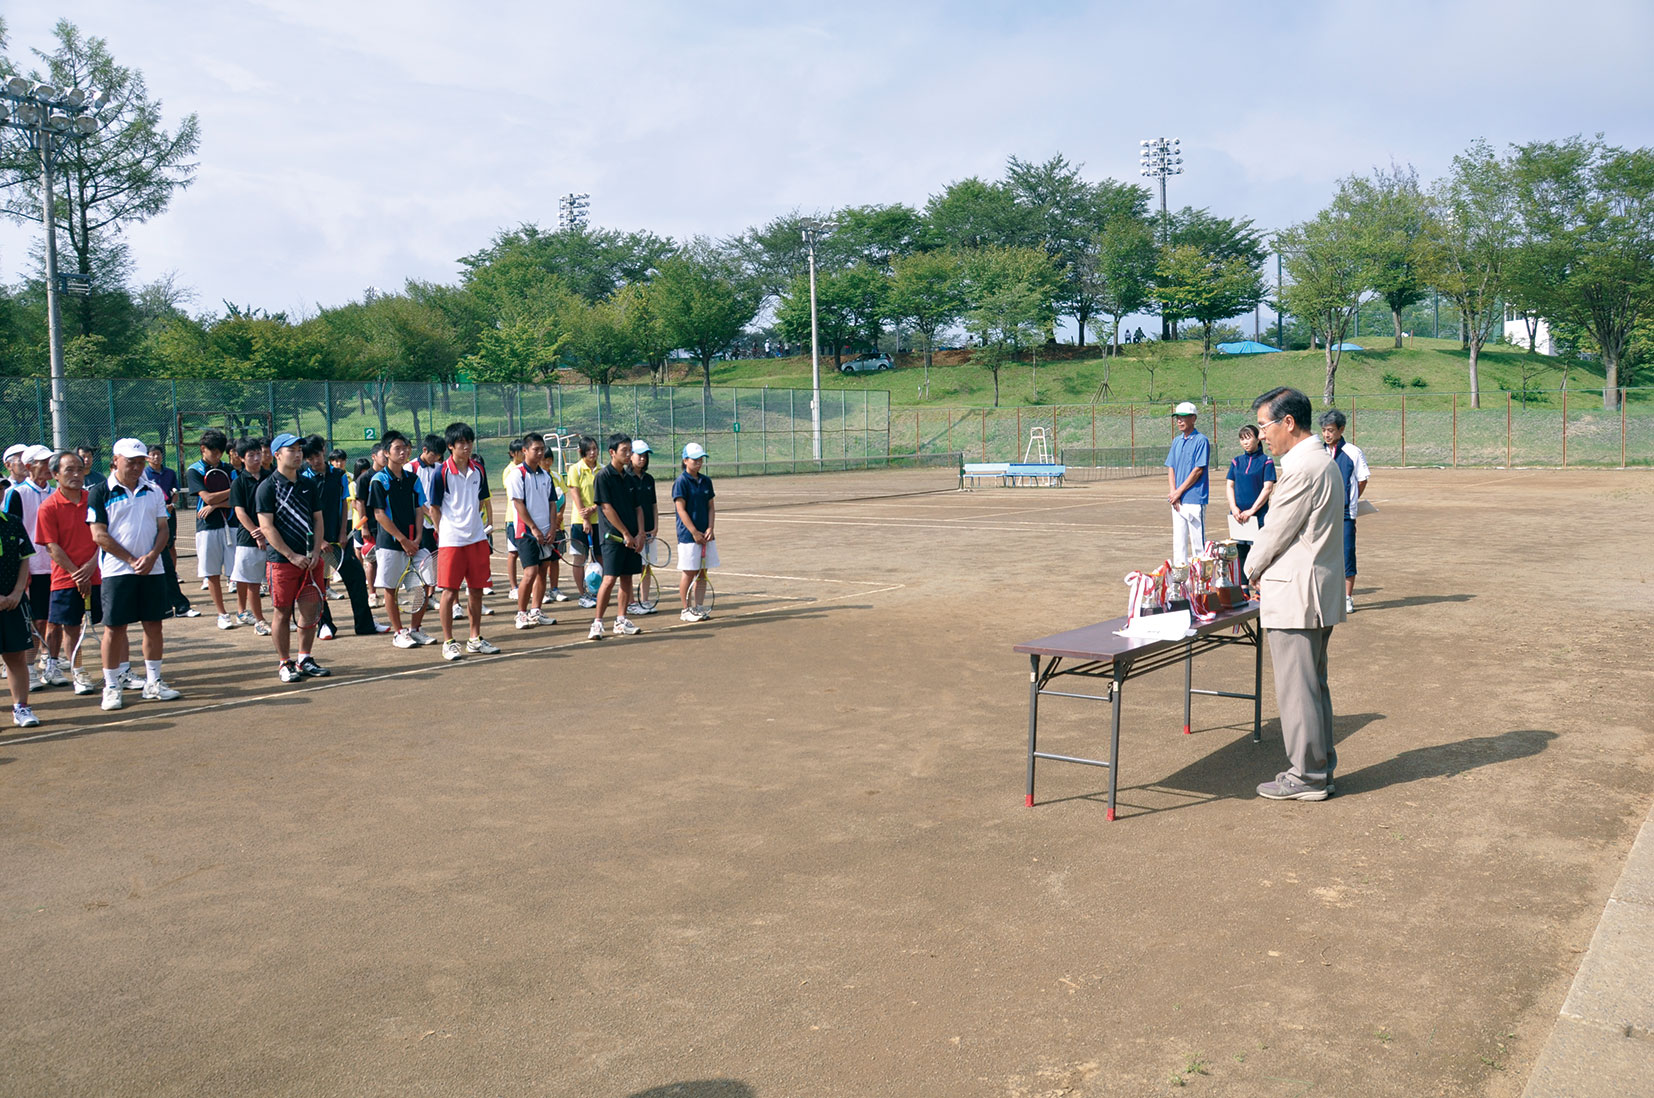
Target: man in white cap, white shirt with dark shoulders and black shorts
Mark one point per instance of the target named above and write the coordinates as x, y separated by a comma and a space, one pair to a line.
130, 525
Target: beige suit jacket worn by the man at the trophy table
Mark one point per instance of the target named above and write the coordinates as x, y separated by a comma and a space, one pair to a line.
1298, 560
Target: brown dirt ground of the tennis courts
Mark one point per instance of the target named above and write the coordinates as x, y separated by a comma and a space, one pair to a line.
785, 852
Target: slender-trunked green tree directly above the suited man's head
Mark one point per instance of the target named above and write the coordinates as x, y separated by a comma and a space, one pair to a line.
1331, 272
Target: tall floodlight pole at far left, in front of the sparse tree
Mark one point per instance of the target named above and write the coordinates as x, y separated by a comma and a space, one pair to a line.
50, 120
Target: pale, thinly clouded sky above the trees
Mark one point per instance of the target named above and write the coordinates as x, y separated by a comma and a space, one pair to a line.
361, 143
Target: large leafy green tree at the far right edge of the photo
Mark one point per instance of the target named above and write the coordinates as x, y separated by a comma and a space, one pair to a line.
1589, 216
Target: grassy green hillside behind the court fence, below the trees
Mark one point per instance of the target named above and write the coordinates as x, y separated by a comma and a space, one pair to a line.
1440, 366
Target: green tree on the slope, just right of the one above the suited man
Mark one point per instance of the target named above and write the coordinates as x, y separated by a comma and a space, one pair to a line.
1390, 219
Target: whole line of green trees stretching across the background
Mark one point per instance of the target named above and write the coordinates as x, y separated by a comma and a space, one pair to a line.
1559, 231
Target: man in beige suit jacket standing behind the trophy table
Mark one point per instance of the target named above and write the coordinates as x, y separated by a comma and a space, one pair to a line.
1298, 568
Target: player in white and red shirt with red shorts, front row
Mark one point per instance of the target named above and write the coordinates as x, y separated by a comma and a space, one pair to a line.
462, 513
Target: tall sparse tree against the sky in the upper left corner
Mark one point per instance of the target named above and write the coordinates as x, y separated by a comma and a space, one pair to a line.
125, 174
